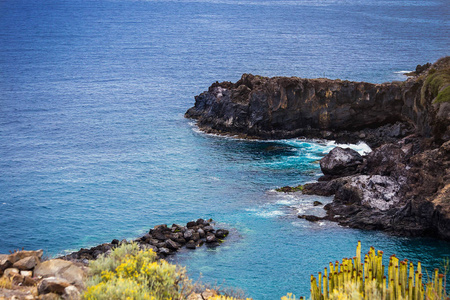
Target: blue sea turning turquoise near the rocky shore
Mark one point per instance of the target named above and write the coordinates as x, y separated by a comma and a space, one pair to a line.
94, 145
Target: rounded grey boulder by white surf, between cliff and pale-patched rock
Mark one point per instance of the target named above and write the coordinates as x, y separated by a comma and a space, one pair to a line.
341, 162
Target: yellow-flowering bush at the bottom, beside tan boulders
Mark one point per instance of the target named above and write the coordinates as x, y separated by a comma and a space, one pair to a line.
130, 273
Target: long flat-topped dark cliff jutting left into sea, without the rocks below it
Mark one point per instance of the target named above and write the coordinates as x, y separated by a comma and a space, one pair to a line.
281, 107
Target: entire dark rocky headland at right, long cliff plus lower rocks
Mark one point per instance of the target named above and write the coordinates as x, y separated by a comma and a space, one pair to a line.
403, 186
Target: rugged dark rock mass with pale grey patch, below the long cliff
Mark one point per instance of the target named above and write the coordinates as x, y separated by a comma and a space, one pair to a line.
411, 198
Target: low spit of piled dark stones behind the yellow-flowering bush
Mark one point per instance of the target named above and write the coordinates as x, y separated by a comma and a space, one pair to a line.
163, 240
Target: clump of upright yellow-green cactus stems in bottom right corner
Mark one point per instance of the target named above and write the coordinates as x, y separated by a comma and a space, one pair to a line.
369, 281
